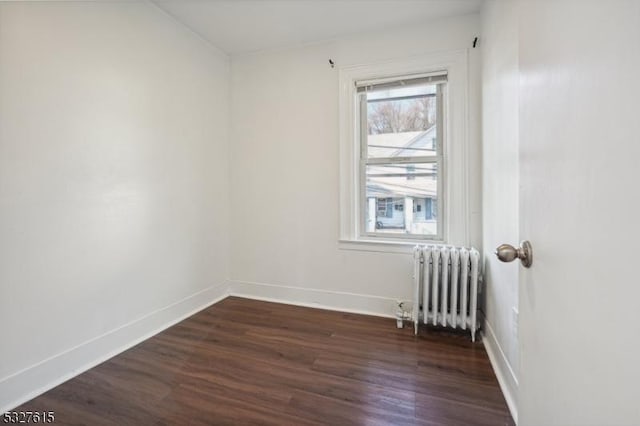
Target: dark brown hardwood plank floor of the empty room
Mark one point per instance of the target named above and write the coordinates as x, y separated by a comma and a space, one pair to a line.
249, 362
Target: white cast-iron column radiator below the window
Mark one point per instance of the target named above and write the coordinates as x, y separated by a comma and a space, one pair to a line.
446, 287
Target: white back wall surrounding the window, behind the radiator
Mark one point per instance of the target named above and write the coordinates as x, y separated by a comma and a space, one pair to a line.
285, 166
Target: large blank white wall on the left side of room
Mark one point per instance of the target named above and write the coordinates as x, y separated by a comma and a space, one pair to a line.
113, 183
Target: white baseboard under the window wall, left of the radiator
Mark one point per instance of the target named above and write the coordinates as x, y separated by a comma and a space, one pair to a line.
314, 298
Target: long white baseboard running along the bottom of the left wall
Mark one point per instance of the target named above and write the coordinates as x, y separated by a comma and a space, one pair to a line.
26, 384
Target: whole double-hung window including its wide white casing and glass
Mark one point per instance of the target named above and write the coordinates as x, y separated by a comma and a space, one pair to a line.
404, 152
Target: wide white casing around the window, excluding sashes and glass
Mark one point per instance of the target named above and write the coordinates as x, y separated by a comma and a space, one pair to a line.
455, 149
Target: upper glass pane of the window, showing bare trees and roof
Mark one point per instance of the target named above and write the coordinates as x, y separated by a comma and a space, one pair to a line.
401, 122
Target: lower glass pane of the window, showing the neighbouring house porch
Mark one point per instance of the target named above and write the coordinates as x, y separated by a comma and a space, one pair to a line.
402, 199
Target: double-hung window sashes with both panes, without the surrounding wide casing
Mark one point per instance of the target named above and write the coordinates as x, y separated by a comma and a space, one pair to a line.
401, 138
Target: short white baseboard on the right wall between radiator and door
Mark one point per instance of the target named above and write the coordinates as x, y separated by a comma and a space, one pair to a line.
501, 367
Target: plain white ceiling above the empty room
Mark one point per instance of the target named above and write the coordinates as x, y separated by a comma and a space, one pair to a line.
240, 26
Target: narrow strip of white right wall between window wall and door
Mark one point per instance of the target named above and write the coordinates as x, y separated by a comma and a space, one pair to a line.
499, 44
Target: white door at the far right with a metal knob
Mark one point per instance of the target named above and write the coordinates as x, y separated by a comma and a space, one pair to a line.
580, 208
